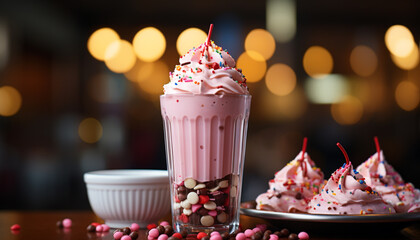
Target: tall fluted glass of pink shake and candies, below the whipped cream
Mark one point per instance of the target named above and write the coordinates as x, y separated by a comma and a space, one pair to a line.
205, 145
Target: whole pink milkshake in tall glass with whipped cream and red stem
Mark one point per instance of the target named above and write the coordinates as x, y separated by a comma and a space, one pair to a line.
205, 108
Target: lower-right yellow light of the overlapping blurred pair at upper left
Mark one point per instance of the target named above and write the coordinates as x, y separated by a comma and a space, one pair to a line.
120, 57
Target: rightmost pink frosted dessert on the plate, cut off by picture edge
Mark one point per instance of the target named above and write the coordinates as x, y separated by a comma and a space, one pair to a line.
382, 177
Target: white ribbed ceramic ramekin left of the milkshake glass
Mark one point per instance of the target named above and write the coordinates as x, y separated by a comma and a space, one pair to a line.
122, 197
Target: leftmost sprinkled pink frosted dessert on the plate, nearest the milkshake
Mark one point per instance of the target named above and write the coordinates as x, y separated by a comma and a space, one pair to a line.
293, 186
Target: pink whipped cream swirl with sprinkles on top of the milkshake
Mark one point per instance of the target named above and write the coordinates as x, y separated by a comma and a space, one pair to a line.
206, 70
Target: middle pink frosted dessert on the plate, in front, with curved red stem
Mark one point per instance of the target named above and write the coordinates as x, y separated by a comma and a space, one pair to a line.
346, 192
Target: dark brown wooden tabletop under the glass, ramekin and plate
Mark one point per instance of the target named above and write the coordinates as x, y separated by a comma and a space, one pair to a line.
42, 225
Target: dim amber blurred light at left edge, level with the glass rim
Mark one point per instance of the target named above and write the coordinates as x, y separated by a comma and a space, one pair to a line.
10, 101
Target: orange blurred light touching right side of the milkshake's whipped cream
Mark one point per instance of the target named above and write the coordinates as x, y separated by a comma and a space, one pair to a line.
254, 67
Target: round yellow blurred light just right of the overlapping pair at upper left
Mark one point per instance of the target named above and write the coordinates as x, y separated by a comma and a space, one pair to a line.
149, 44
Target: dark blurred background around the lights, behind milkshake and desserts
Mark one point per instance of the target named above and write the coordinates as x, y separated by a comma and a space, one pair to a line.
42, 158
